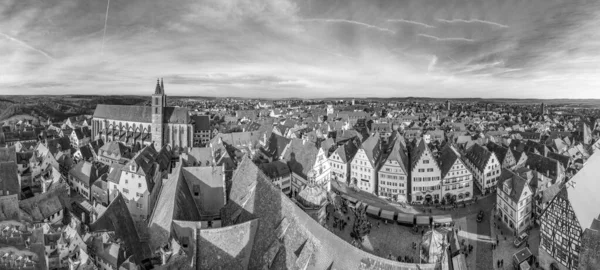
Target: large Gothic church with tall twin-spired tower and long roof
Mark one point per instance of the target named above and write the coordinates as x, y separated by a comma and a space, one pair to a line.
139, 126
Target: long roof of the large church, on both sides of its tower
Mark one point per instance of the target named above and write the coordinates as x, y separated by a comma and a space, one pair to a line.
143, 114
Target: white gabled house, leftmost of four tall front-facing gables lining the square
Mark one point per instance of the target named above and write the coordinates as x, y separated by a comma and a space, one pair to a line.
365, 165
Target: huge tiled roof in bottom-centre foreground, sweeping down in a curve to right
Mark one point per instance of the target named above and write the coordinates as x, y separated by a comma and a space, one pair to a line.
287, 238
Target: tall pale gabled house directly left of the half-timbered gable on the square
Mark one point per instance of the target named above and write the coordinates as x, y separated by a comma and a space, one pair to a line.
425, 185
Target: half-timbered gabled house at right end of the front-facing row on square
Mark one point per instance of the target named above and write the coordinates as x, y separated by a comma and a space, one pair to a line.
457, 179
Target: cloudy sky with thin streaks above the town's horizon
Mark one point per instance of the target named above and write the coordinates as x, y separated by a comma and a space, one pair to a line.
302, 48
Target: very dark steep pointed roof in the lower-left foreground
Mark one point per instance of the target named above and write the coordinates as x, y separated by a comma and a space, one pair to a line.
117, 218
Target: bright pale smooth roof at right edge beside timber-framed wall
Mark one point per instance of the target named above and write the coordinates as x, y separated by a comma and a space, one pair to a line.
583, 196
